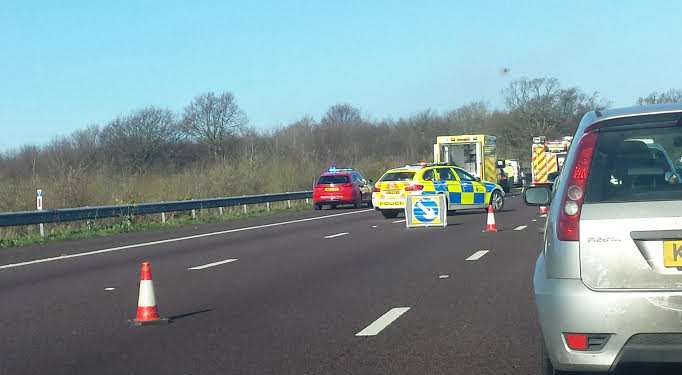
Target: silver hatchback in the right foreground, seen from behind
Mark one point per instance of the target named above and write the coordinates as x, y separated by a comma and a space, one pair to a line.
608, 283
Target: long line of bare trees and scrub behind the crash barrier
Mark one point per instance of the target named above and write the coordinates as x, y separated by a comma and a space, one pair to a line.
210, 149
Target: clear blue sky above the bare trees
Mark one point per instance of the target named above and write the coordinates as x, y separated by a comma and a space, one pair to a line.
65, 65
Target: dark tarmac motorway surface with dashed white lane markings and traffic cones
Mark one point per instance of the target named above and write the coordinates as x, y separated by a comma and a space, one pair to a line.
331, 292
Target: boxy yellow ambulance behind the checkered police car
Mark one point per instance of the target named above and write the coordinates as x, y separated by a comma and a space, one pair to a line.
476, 154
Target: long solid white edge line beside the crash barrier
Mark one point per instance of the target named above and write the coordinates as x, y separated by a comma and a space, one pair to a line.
170, 240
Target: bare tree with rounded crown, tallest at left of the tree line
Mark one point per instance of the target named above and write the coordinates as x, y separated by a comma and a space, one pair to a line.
211, 119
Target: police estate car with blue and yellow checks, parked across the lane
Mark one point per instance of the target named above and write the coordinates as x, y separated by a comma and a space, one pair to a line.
461, 189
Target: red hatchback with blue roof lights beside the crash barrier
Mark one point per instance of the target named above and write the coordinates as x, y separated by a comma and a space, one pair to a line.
340, 186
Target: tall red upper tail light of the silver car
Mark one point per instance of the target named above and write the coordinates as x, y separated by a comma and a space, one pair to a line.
568, 227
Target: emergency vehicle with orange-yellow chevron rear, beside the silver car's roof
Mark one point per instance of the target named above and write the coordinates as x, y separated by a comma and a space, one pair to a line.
547, 157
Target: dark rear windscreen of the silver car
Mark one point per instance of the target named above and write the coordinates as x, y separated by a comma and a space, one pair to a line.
634, 165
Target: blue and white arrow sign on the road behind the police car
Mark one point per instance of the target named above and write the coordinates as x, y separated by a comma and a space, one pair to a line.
426, 211
